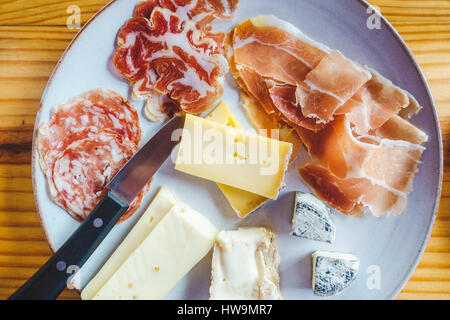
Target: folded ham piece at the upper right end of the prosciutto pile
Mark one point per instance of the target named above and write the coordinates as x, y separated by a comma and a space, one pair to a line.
379, 100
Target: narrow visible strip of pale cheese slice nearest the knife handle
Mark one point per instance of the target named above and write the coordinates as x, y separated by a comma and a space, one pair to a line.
159, 207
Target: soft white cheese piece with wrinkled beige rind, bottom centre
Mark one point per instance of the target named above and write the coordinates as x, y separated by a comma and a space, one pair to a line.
245, 266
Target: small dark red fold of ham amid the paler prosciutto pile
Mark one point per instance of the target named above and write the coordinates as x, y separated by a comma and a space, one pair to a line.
284, 99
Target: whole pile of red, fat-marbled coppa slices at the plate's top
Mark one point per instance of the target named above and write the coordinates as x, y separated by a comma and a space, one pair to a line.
171, 57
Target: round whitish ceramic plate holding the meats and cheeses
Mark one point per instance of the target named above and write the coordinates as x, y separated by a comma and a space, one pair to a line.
388, 247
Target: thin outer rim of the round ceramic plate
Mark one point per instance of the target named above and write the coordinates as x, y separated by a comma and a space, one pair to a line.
393, 31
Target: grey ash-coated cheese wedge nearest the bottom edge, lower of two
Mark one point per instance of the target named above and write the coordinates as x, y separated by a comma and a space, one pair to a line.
333, 272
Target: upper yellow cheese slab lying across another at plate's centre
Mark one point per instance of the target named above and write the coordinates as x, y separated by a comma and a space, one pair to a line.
233, 157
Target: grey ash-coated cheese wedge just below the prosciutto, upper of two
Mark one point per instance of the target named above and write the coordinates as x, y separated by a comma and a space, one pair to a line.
312, 219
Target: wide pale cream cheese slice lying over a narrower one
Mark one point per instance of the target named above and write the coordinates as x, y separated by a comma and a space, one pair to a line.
179, 241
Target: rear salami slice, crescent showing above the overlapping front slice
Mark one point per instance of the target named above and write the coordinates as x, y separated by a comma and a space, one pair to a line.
84, 116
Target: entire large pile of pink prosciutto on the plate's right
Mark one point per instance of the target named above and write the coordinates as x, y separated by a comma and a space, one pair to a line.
353, 121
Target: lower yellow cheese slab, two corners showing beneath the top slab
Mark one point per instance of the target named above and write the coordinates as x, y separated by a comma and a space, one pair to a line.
242, 202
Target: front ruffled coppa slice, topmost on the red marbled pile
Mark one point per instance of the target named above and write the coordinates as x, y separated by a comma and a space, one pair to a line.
166, 56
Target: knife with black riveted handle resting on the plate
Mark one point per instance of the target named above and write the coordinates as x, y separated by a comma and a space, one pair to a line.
51, 279
